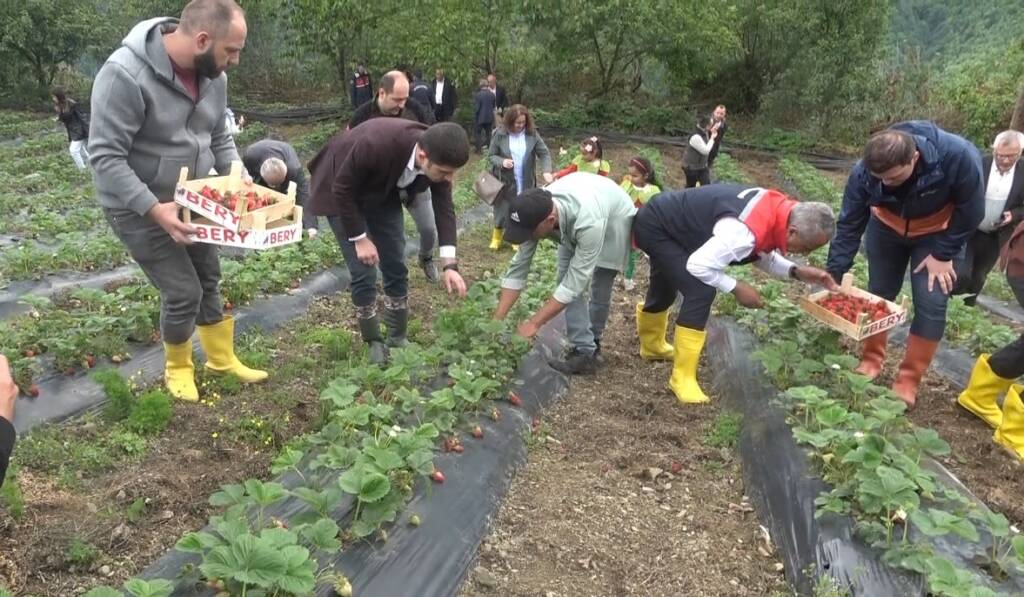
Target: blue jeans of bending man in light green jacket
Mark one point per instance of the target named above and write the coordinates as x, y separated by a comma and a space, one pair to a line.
587, 316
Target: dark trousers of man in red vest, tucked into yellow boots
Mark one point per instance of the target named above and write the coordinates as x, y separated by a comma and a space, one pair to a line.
669, 275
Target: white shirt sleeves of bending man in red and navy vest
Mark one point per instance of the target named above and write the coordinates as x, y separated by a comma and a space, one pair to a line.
732, 242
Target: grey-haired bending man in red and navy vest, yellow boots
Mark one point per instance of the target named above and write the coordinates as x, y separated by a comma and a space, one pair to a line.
692, 237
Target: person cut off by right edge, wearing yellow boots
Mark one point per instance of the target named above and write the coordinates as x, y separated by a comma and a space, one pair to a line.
996, 374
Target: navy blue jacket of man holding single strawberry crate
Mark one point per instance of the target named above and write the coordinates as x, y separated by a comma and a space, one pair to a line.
949, 172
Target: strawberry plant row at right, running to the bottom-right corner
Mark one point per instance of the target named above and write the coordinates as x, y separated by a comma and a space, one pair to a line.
864, 446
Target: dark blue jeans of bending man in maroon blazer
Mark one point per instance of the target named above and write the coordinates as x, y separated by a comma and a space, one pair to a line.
385, 228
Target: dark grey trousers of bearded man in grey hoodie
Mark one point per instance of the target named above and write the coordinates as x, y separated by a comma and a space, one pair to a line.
187, 276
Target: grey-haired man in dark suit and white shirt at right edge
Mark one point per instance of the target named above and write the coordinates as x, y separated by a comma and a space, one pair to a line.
1004, 210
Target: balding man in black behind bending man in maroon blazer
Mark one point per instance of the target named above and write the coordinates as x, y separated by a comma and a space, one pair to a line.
394, 101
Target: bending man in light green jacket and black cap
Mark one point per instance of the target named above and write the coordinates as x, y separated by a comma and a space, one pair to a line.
592, 219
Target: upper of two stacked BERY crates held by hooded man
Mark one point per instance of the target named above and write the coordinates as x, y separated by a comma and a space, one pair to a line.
189, 194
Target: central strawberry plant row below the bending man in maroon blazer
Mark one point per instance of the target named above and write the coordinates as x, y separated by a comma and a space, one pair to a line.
383, 429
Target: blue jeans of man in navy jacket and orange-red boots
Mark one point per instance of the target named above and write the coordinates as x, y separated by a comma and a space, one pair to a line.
888, 258
